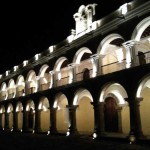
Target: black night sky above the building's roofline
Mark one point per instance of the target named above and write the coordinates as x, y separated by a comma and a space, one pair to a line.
30, 28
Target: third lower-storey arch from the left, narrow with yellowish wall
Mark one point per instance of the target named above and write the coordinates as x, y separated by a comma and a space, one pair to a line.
19, 115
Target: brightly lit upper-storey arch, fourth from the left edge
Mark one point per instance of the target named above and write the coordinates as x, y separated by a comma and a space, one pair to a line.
31, 82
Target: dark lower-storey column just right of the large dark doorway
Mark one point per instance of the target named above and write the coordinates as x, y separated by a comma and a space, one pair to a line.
135, 119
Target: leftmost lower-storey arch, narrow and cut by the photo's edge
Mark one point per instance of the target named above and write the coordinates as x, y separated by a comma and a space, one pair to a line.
2, 117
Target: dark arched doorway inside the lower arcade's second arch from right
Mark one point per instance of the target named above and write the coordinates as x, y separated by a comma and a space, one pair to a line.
110, 115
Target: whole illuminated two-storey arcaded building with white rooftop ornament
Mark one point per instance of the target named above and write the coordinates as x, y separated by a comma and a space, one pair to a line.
96, 81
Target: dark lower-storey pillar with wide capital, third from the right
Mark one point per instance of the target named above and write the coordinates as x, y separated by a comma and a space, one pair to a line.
72, 120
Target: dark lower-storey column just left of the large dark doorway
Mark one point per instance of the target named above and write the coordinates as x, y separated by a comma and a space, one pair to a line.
99, 123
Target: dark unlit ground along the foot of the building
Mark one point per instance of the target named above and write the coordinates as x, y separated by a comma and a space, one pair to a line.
24, 141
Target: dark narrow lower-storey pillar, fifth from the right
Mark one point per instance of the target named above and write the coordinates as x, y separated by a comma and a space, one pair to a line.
38, 121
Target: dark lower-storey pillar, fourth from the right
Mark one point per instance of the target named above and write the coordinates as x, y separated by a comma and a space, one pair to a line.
53, 129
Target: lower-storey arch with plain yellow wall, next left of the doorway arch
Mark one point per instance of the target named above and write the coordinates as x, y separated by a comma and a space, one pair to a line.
83, 99
